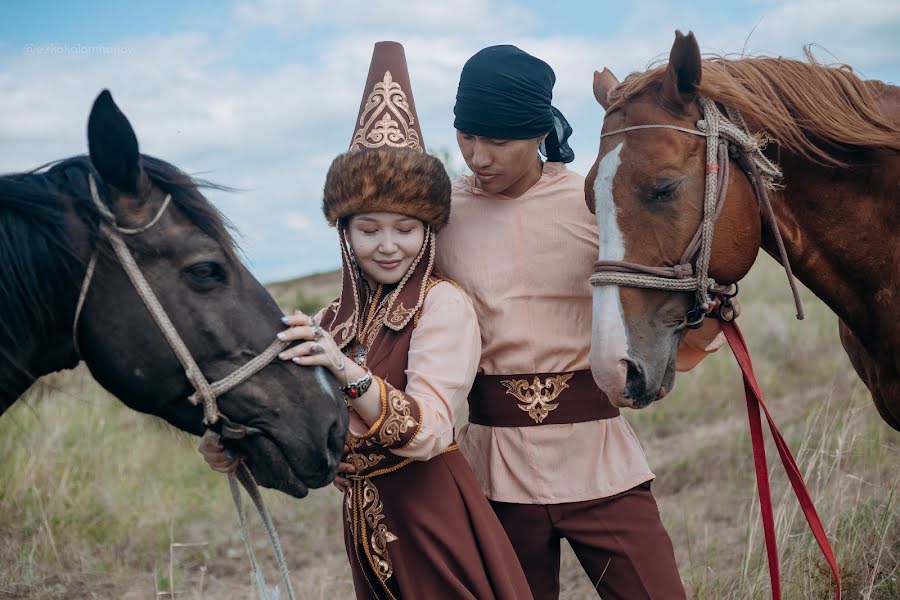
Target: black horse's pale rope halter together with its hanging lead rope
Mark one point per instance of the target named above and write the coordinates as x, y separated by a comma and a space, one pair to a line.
207, 392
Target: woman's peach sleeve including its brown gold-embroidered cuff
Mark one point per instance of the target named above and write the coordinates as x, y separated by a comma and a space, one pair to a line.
444, 351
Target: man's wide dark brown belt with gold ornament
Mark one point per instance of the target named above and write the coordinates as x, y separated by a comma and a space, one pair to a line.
538, 399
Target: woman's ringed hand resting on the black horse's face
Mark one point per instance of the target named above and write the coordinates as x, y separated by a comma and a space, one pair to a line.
317, 347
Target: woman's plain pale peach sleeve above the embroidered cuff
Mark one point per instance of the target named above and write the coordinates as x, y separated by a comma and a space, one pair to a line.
443, 360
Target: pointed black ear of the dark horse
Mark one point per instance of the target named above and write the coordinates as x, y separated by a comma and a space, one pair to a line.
113, 145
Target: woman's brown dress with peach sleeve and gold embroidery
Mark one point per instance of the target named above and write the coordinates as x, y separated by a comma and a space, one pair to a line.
416, 522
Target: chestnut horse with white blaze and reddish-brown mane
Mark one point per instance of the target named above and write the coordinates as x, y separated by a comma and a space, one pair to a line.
836, 139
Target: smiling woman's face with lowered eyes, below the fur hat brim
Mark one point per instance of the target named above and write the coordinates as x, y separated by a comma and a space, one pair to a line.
385, 244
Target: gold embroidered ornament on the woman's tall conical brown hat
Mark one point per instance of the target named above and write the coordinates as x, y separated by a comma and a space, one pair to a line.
386, 119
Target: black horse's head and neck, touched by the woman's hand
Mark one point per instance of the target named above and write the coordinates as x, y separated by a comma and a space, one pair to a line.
48, 230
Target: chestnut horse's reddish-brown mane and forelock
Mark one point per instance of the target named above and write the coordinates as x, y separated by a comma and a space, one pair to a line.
817, 111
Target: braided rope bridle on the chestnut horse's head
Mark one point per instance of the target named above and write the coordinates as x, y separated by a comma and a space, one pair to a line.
725, 139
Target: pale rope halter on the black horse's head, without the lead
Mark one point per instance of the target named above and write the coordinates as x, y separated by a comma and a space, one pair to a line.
204, 390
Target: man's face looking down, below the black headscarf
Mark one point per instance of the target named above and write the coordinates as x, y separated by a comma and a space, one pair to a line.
500, 166
